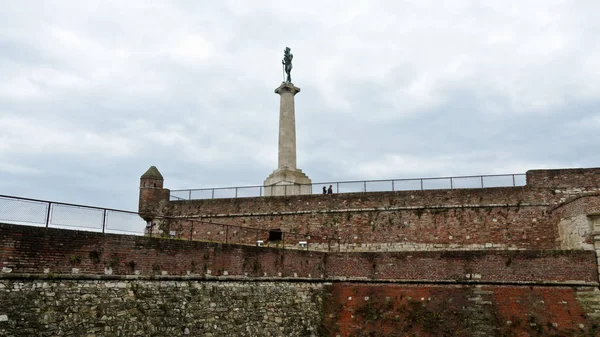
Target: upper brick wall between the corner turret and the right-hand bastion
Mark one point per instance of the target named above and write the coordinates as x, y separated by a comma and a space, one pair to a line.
357, 219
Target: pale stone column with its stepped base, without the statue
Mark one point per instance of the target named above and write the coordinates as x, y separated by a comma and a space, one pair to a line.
287, 179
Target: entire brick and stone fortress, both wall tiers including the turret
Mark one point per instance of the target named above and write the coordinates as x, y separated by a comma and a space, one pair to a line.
519, 261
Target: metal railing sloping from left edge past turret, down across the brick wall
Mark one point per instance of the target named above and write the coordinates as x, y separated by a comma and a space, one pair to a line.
52, 214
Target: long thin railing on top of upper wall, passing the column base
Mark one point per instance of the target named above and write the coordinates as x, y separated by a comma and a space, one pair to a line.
359, 186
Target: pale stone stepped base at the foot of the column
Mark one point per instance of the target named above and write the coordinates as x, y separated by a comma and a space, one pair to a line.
287, 182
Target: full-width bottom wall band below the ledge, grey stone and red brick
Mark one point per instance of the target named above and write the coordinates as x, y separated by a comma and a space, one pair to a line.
34, 306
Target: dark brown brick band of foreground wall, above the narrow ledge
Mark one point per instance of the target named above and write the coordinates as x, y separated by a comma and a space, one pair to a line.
33, 250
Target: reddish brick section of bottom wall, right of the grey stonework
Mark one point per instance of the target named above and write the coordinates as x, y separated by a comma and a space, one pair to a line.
424, 311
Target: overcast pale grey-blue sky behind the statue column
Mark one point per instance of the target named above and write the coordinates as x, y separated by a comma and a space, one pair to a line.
92, 93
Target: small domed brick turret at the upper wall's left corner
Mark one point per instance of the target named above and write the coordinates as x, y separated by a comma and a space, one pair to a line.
152, 193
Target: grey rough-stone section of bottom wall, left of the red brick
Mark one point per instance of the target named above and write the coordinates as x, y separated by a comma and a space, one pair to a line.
96, 308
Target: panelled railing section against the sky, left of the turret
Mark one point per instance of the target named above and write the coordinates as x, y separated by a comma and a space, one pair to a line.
51, 214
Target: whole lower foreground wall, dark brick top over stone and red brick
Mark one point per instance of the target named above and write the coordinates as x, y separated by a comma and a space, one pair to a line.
159, 286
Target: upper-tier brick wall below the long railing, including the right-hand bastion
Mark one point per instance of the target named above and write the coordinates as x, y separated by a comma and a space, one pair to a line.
507, 218
